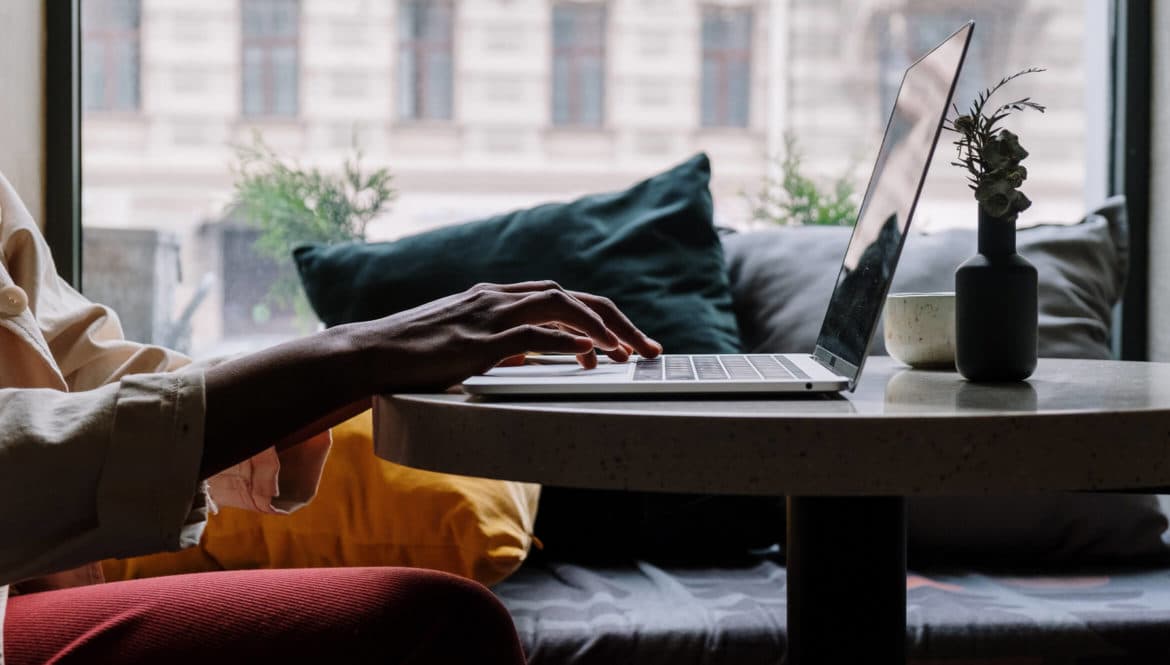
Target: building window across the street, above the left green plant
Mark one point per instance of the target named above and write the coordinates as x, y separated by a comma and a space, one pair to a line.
271, 72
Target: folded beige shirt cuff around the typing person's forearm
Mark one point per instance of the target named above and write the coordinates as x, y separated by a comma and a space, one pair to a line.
150, 497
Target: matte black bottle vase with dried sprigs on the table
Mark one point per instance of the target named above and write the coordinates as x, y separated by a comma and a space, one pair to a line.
996, 299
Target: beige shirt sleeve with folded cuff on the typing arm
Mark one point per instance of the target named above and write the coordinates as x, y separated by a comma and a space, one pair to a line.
111, 472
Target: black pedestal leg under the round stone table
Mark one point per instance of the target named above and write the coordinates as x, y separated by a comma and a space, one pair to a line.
846, 580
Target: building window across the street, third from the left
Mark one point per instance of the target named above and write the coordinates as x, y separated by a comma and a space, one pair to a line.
425, 60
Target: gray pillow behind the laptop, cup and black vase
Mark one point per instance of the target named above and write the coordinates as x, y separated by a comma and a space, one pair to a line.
782, 280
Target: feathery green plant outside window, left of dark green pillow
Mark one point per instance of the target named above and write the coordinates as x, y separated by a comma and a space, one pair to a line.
292, 205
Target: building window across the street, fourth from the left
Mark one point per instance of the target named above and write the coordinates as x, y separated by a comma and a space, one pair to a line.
579, 65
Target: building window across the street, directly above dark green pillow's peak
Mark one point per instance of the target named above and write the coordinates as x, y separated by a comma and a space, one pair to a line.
727, 67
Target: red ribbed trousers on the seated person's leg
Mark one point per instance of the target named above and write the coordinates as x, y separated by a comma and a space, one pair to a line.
332, 615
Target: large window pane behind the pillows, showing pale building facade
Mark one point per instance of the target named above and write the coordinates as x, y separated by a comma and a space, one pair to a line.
663, 79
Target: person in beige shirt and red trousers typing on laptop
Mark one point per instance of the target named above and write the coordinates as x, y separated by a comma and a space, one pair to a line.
113, 449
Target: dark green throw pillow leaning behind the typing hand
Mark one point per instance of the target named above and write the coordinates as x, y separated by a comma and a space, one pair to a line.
652, 250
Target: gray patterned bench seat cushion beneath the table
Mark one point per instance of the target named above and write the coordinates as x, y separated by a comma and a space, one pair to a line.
737, 615
